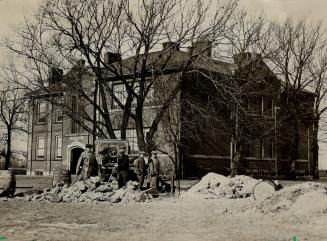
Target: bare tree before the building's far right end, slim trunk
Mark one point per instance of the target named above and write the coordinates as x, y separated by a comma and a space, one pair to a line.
295, 48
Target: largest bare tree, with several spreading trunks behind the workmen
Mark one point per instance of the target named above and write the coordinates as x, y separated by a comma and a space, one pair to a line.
64, 31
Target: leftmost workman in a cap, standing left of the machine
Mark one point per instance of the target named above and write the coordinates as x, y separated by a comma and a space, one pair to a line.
86, 165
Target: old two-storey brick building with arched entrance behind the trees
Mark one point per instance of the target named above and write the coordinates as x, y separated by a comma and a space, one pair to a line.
55, 140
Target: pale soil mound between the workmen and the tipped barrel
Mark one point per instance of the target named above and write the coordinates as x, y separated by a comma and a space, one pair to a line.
214, 185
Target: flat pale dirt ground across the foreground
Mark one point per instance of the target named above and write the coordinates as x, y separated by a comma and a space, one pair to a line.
165, 220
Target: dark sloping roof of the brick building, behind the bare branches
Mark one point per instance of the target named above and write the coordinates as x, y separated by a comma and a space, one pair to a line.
156, 61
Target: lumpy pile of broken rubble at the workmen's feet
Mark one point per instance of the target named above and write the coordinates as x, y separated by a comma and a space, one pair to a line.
90, 190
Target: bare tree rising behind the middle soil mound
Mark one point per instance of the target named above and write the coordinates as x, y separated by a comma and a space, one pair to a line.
249, 81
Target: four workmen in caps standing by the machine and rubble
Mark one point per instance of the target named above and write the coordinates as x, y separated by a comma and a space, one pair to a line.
145, 168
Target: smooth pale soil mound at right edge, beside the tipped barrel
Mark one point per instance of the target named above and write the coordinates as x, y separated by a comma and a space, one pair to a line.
303, 200
